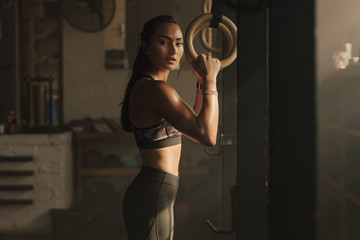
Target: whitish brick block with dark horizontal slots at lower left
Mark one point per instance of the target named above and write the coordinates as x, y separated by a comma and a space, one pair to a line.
52, 180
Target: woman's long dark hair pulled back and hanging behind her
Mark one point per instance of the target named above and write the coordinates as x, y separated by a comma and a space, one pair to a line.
140, 64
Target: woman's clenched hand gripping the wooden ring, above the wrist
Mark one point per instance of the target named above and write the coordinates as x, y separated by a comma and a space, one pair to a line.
206, 68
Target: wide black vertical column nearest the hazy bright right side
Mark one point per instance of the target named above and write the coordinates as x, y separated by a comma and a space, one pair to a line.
292, 120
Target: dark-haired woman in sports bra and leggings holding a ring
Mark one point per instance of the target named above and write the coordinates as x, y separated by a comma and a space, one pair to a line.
157, 116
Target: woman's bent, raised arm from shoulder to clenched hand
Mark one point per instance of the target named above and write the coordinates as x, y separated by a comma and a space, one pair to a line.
166, 103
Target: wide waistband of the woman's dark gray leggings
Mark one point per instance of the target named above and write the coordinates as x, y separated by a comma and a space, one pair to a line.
153, 174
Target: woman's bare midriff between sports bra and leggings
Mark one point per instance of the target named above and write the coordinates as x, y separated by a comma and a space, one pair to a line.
164, 159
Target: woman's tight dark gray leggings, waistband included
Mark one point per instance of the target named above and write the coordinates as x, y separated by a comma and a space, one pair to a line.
148, 205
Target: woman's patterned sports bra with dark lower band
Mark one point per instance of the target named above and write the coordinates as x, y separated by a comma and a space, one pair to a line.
157, 136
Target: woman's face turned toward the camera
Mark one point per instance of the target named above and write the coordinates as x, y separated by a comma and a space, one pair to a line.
166, 47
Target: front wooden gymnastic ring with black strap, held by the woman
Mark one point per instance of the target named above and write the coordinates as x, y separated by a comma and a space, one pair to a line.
203, 21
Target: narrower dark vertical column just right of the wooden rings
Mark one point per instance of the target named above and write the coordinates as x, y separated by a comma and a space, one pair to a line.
250, 207
